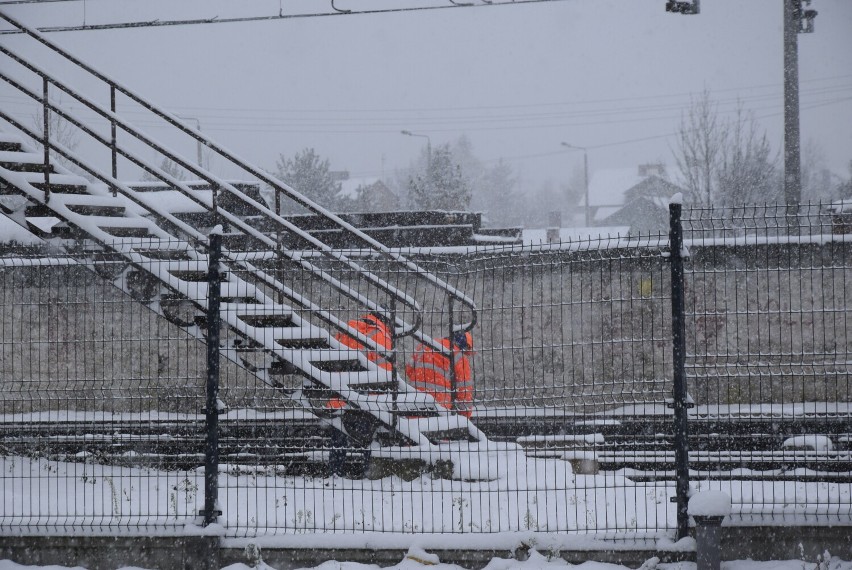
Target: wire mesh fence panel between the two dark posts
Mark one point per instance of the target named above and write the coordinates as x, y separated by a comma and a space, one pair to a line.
572, 344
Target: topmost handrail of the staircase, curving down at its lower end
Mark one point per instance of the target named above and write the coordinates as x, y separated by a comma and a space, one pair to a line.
277, 185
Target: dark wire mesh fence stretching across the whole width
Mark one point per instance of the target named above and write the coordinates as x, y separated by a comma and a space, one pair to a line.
104, 391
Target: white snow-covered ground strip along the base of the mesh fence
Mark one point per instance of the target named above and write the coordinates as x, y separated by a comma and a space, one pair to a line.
523, 494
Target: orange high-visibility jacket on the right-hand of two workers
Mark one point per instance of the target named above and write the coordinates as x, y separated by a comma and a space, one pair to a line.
429, 372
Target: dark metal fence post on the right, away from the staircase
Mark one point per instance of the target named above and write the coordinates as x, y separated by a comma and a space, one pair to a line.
680, 399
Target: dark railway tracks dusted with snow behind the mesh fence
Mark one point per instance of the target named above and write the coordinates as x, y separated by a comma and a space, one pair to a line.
640, 447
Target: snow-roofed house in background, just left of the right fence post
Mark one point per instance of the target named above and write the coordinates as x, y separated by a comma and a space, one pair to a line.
637, 198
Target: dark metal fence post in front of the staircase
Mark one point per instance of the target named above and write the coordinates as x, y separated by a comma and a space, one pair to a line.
211, 451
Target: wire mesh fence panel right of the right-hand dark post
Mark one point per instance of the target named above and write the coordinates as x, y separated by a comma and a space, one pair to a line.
768, 305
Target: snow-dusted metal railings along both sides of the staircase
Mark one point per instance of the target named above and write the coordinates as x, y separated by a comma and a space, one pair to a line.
453, 295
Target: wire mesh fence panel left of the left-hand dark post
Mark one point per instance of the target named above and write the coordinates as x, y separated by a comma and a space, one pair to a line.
101, 409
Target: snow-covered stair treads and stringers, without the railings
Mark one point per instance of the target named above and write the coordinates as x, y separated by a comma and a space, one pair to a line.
167, 271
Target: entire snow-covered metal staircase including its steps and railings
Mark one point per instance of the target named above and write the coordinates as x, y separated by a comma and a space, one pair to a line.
162, 261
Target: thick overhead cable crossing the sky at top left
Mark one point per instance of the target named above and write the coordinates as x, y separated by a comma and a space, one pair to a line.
280, 16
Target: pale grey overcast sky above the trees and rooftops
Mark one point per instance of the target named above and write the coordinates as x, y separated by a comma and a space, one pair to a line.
517, 79
